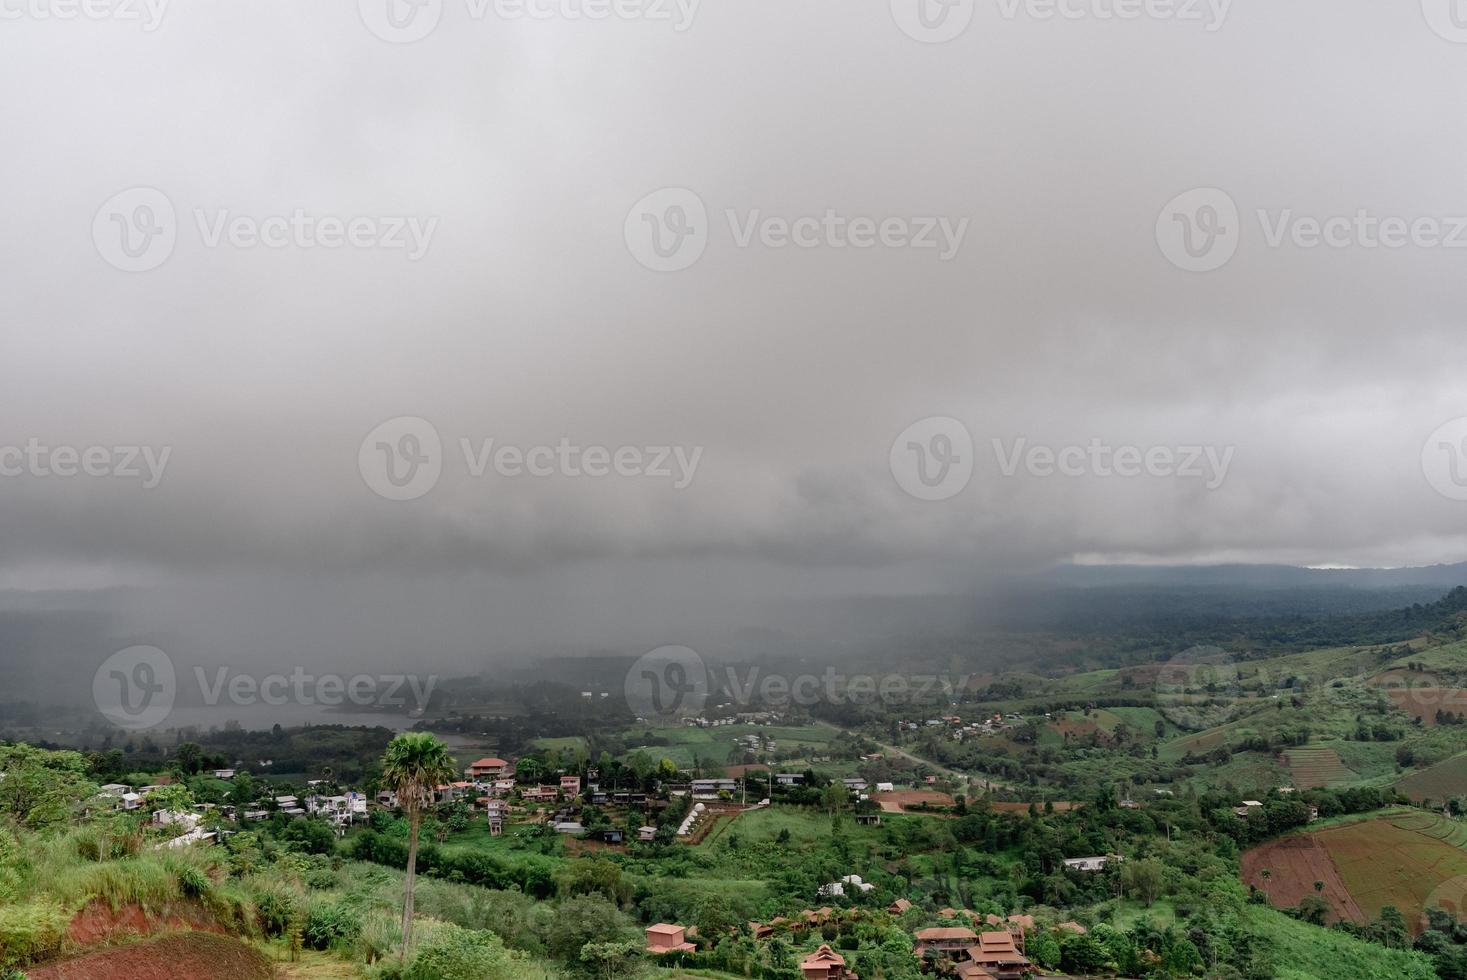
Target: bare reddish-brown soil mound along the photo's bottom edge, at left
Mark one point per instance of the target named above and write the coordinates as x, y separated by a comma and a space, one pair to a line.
181, 957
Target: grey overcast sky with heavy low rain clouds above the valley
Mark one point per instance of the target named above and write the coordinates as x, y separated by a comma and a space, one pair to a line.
527, 313
